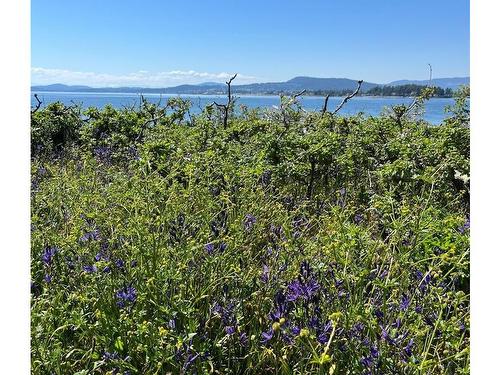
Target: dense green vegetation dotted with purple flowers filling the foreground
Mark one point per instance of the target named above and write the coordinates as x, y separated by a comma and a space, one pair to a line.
286, 243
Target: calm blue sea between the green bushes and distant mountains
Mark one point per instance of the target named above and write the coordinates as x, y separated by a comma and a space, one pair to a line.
434, 108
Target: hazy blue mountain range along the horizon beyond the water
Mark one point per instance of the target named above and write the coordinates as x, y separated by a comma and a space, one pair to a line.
311, 84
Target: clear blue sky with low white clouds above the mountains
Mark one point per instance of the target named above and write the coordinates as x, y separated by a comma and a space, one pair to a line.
163, 43
